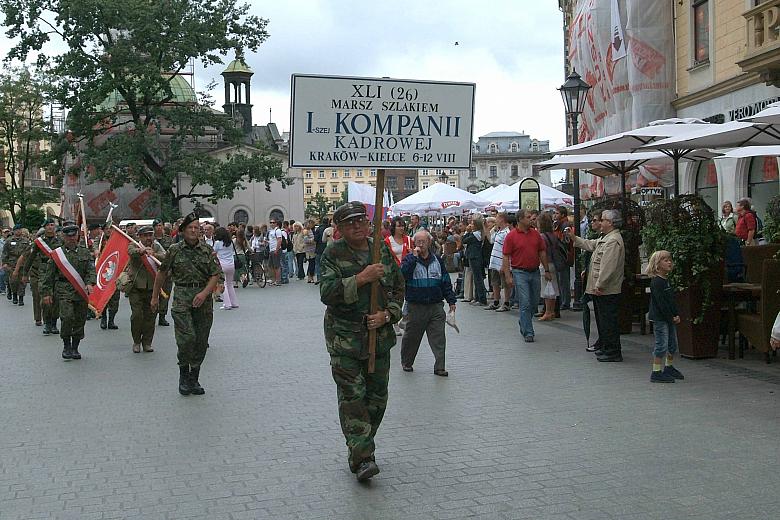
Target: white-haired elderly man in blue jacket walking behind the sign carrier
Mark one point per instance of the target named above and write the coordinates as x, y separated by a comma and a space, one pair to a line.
427, 284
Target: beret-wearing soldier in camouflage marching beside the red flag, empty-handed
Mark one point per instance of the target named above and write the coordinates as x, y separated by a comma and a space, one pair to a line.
195, 271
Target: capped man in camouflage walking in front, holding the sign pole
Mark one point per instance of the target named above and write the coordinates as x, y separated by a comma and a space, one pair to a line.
347, 273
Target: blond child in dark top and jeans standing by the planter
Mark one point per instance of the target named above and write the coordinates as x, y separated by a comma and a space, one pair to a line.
663, 314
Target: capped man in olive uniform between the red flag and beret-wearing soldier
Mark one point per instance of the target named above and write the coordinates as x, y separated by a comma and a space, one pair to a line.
140, 293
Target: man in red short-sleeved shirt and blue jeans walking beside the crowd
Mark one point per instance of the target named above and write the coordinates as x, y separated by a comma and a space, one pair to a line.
524, 250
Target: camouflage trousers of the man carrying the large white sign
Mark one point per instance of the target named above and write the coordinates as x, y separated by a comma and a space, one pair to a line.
362, 402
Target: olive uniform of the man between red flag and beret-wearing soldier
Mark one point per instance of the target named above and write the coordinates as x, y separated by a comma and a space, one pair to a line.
142, 319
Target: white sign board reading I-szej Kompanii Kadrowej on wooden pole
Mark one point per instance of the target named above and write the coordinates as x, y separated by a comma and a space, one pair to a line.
349, 122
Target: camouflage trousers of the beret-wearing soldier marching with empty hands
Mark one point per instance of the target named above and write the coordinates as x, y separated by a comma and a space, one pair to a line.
192, 326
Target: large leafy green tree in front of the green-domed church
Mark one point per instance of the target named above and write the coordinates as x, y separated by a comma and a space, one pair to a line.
120, 80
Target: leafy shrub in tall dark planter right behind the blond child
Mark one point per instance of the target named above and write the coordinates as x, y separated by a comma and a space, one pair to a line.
686, 227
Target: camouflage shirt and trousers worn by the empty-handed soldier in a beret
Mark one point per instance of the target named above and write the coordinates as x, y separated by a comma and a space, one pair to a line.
190, 267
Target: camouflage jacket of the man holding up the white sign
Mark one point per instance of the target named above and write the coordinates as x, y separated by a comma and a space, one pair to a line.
346, 333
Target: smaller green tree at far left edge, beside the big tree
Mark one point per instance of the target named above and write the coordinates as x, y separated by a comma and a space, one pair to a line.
24, 135
